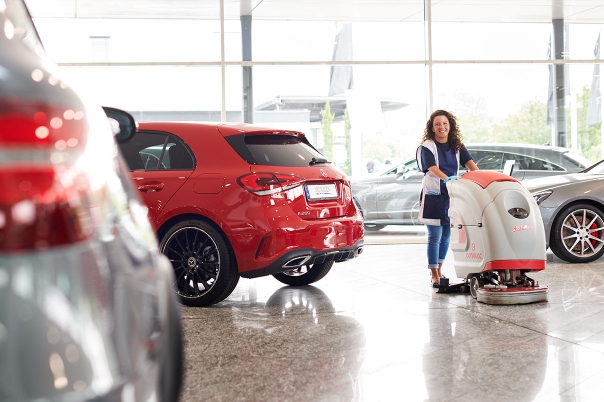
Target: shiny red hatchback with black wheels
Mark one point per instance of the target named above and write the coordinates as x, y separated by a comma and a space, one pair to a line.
231, 200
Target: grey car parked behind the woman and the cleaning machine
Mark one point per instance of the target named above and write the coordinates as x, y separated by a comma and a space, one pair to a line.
392, 198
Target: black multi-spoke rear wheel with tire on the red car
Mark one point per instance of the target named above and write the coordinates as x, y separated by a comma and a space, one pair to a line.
203, 263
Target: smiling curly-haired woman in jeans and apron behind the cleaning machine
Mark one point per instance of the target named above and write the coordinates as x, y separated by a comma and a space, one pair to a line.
439, 157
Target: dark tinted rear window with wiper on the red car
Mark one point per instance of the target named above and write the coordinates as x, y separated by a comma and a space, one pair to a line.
274, 150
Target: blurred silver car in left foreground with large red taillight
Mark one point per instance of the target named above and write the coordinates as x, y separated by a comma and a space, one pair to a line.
86, 310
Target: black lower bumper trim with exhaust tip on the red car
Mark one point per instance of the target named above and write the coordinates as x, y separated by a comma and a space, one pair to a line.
298, 257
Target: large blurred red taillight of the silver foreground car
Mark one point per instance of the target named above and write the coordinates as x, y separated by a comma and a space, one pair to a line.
43, 195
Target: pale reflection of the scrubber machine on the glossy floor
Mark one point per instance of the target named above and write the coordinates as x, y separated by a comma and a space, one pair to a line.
487, 361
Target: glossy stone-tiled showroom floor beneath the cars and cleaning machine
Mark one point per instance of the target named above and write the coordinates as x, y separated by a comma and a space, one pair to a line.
374, 330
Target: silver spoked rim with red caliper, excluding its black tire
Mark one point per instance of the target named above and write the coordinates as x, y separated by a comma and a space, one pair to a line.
581, 233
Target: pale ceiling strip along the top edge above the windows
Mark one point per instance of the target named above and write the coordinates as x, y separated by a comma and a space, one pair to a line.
573, 11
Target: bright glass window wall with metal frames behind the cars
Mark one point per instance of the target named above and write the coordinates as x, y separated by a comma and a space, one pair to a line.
379, 67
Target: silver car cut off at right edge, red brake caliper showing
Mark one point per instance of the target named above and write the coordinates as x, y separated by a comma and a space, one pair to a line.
572, 208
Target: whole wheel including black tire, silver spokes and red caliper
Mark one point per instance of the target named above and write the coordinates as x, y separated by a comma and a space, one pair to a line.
578, 234
